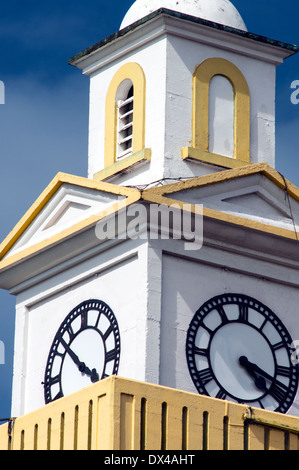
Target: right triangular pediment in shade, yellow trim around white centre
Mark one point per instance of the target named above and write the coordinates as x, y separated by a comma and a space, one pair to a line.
255, 193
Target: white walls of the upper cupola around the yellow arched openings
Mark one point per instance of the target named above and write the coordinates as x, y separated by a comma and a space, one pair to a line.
169, 63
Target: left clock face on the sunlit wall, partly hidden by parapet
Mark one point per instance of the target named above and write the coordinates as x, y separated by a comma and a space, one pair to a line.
85, 349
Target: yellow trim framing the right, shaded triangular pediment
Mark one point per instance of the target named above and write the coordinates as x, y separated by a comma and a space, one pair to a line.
160, 195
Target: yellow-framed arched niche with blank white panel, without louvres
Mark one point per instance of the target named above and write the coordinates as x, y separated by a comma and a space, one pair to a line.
220, 115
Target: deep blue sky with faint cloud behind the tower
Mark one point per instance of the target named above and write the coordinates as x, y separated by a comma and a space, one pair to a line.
44, 122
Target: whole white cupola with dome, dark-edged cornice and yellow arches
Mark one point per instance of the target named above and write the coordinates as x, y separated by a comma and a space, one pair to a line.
181, 90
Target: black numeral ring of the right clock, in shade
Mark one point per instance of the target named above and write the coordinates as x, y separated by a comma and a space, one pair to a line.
239, 299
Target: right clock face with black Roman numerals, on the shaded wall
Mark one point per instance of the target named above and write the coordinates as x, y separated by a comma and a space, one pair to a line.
237, 349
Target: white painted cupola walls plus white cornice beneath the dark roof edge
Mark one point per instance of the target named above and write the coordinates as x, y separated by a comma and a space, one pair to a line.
168, 62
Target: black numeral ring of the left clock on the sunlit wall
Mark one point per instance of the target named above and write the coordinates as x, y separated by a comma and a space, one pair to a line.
81, 309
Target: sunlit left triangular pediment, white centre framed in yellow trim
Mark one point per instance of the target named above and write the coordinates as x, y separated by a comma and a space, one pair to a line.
68, 204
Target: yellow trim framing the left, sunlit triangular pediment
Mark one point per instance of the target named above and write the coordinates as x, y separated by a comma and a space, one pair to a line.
131, 194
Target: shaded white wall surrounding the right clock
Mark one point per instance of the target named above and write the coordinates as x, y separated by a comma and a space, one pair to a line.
189, 284
